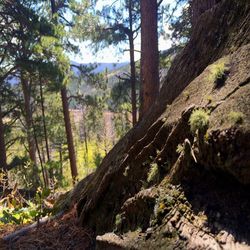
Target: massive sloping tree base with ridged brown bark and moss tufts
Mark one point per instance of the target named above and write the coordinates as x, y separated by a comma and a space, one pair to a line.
198, 197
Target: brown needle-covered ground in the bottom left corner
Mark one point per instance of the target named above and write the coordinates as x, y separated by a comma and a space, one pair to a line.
61, 233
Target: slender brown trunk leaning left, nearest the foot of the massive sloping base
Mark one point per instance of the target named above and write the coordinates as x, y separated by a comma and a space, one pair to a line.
69, 135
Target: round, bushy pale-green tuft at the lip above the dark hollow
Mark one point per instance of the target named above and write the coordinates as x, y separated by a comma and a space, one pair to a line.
199, 120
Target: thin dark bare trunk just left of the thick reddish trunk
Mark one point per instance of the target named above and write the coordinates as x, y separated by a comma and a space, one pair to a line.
132, 67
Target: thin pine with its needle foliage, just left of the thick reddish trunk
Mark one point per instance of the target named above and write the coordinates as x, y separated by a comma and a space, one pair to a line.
122, 23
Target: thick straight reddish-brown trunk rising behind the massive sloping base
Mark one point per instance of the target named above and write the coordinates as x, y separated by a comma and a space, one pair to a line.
149, 55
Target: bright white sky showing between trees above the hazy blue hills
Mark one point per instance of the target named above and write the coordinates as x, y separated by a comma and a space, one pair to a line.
112, 54
